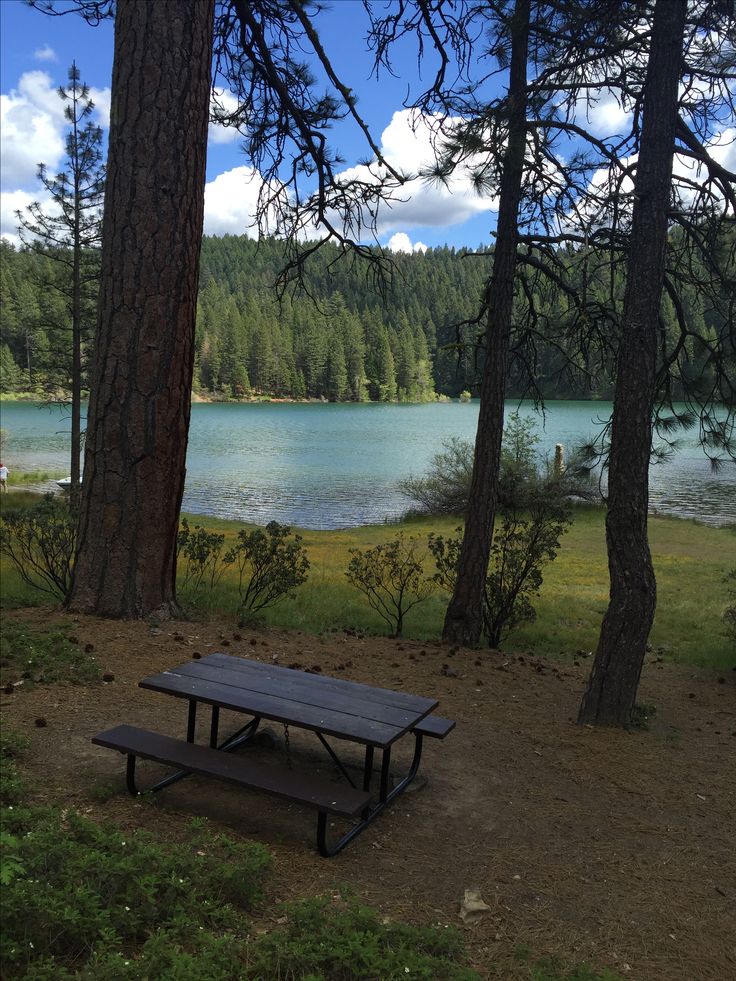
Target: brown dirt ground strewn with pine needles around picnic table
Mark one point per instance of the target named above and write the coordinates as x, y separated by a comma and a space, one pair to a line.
612, 847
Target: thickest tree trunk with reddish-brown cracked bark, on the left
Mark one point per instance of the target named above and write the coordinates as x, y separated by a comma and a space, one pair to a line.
139, 408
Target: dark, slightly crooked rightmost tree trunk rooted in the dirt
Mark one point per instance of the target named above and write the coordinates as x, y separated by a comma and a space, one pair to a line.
614, 679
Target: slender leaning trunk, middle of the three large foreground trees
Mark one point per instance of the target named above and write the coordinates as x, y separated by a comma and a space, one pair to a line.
464, 617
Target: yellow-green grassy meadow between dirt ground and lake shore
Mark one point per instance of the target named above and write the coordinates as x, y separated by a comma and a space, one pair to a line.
691, 561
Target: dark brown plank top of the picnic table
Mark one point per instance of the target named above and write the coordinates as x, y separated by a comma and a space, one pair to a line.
333, 706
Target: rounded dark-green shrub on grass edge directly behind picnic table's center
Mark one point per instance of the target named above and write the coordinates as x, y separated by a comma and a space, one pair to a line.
270, 567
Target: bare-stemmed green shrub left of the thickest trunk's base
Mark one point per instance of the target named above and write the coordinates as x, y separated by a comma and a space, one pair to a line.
39, 541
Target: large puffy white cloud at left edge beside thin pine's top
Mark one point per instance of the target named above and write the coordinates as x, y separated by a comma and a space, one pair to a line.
31, 129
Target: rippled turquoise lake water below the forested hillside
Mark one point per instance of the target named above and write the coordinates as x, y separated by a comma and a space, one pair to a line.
334, 466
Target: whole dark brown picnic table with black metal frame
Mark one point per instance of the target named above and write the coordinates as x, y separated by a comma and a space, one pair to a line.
373, 718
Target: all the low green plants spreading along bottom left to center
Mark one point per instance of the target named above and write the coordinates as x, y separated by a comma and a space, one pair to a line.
84, 902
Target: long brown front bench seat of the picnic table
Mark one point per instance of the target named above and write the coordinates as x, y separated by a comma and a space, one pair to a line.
313, 791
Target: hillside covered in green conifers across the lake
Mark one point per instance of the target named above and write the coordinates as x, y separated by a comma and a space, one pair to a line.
344, 341
